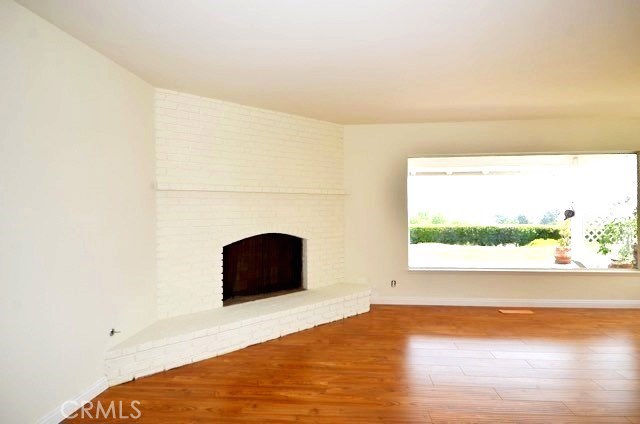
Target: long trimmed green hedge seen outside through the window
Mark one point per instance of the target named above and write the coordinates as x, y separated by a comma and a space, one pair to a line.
482, 235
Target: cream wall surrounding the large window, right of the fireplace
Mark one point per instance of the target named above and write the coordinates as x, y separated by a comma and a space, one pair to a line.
376, 217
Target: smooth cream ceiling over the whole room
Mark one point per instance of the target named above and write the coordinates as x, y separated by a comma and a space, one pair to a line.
376, 61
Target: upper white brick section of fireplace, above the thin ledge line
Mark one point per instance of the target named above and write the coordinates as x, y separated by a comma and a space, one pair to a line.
263, 140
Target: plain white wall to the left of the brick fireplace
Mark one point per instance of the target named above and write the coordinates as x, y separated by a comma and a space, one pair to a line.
77, 218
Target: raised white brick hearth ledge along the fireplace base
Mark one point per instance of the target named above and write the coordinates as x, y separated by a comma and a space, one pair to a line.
177, 341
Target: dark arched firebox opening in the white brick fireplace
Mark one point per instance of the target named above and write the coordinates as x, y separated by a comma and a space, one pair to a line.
261, 266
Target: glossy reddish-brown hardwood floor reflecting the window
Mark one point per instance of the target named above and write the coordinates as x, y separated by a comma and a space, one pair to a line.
406, 364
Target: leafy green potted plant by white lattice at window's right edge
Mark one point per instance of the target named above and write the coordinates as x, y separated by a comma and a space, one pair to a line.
619, 237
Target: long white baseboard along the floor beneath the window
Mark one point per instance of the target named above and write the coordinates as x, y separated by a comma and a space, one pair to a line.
509, 302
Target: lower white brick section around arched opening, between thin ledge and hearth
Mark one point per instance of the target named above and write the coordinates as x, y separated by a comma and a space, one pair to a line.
193, 227
